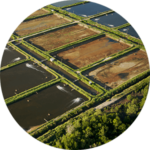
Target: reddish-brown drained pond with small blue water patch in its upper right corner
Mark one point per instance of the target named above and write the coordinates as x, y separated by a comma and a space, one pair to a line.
92, 51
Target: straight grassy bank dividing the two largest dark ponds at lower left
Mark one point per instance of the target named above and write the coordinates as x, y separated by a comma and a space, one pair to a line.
30, 91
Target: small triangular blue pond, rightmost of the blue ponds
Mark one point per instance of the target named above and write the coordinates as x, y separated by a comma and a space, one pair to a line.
131, 31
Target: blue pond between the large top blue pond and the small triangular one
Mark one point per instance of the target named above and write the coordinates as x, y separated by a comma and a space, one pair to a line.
111, 20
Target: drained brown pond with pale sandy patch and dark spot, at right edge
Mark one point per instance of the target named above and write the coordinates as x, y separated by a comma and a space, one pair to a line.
115, 73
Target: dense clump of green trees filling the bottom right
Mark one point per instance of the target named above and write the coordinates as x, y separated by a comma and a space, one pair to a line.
97, 128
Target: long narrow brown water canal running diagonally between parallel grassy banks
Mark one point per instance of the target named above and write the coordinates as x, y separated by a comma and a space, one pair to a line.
58, 70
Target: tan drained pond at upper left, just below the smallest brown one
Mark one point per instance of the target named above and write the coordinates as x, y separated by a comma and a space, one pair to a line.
35, 25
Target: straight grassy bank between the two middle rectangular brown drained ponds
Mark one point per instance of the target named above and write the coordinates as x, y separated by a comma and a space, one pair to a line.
76, 42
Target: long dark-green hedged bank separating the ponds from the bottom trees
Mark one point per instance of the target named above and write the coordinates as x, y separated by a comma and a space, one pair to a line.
45, 130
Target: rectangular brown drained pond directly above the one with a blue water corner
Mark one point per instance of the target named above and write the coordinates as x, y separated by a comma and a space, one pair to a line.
51, 40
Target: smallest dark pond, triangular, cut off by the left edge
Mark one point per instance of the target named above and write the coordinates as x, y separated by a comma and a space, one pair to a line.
9, 56
